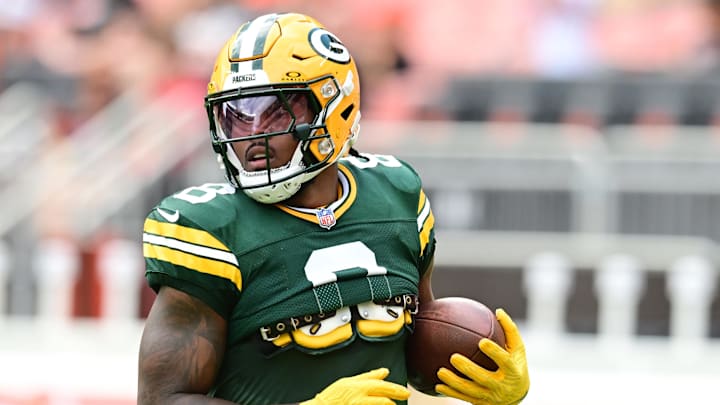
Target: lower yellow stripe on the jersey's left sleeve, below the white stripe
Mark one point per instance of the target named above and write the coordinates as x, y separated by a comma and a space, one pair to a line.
197, 263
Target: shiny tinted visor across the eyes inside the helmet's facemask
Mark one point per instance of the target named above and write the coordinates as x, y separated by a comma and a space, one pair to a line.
264, 114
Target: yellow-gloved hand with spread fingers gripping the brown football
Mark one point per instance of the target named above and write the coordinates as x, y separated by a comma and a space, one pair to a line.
508, 385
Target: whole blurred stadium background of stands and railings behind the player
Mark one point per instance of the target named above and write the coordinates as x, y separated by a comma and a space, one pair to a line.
571, 149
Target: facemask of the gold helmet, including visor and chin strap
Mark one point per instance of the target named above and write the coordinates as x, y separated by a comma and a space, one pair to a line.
255, 115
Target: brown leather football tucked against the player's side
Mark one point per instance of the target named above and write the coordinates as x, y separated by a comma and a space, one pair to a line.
445, 326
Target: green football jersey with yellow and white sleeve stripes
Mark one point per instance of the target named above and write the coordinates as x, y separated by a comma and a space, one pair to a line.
310, 295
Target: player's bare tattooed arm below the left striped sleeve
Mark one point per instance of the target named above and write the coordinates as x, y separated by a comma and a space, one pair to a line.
180, 351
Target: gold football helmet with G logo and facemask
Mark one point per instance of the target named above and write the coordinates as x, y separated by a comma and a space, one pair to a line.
289, 69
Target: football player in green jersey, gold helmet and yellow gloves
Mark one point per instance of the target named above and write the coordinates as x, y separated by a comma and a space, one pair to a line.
297, 280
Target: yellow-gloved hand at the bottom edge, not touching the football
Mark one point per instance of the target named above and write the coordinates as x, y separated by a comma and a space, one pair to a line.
367, 388
